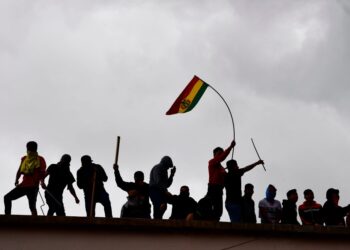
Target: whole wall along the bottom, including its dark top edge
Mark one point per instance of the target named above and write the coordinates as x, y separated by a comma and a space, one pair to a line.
27, 232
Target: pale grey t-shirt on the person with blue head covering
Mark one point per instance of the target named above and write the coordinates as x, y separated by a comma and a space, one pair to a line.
273, 211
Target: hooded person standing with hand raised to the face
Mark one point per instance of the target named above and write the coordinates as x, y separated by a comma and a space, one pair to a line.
159, 183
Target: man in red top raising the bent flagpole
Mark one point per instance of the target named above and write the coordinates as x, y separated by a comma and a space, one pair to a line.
217, 175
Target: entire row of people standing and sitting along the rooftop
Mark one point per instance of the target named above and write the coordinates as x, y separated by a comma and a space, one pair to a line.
240, 207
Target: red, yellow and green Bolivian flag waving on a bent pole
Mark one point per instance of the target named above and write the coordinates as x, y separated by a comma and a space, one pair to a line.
189, 97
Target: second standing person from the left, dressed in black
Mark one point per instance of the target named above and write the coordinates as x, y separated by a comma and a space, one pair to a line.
60, 178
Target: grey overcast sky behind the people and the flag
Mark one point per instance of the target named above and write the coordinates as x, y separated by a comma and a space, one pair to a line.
75, 75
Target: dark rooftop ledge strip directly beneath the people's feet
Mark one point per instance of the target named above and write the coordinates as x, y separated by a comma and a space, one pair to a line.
168, 226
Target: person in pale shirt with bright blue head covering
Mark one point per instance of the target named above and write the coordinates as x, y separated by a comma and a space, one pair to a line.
270, 210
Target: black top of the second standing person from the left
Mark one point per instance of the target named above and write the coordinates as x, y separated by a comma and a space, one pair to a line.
60, 177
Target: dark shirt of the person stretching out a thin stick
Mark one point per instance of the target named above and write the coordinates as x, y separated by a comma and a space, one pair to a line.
233, 186
